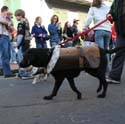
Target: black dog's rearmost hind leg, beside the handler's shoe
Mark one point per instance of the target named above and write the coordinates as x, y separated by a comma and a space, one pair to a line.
105, 85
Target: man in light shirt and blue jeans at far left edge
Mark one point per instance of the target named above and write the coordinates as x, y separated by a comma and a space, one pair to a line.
5, 29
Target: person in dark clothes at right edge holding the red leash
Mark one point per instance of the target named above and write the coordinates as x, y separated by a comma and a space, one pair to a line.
117, 12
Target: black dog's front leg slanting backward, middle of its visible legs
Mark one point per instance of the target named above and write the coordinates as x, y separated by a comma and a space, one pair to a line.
72, 85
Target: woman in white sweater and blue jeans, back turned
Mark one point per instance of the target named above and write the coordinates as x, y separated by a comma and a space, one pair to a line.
97, 13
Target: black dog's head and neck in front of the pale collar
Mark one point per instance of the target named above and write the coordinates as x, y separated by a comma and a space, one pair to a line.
37, 57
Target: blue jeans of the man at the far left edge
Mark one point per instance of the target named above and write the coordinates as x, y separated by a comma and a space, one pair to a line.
5, 54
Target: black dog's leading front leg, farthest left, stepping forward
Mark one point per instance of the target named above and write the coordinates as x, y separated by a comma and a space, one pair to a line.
57, 85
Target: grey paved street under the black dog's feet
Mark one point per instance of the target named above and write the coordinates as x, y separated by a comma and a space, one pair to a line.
22, 103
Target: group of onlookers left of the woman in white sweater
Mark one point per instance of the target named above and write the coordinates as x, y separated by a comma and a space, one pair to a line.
15, 42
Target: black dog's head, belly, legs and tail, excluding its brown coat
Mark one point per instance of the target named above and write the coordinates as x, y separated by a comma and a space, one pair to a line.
41, 57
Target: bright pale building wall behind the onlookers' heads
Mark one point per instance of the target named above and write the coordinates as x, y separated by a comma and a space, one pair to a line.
34, 8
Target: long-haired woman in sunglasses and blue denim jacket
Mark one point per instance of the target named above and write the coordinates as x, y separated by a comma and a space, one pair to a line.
54, 30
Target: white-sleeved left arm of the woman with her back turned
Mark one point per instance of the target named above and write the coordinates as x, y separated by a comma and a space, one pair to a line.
89, 18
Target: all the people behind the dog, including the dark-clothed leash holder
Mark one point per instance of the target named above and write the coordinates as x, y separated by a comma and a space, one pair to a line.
105, 36
